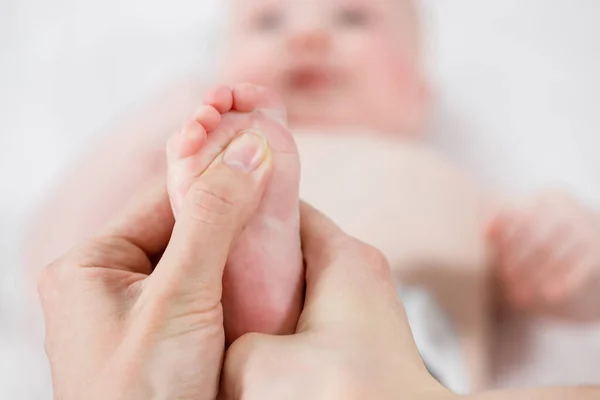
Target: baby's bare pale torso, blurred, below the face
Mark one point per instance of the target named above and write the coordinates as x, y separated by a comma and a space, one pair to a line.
399, 197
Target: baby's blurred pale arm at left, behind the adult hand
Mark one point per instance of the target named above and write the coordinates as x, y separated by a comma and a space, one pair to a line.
129, 155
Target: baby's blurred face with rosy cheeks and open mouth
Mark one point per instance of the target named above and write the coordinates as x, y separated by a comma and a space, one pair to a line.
337, 63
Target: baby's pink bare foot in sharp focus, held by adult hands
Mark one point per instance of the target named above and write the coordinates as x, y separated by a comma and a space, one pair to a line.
263, 284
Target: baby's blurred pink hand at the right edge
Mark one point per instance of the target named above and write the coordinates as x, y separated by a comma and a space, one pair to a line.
549, 250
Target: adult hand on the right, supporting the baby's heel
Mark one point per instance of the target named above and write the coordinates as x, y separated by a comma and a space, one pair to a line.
352, 340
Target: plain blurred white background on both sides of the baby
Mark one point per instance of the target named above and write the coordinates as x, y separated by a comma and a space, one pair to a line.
516, 81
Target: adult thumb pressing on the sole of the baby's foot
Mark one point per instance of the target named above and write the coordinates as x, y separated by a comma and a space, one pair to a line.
215, 210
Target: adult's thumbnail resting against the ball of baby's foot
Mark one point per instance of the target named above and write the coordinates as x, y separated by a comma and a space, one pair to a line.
246, 152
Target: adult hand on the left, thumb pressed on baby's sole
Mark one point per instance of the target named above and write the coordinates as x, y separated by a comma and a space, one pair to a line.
120, 327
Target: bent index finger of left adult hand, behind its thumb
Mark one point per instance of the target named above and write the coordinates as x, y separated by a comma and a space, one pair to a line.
147, 221
